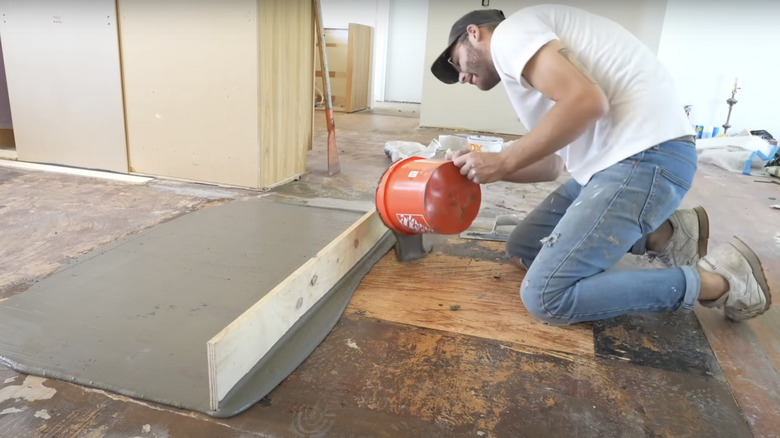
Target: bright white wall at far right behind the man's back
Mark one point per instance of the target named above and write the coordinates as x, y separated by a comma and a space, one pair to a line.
706, 46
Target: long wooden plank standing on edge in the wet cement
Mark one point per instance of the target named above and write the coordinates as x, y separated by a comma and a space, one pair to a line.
235, 350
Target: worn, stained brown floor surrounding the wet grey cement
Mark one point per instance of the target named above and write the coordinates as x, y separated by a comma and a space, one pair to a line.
436, 347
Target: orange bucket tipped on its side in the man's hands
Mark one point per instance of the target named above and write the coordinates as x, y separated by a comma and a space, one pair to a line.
418, 195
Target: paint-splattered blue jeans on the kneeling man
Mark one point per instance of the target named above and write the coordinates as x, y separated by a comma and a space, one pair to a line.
572, 238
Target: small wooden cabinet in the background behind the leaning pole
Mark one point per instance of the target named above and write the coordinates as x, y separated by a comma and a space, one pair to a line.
349, 64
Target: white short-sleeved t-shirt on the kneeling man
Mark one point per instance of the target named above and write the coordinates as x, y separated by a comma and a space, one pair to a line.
644, 109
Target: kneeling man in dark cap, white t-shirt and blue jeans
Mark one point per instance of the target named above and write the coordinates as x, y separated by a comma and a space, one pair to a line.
597, 101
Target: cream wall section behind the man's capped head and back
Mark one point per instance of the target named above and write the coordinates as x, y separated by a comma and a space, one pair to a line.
464, 106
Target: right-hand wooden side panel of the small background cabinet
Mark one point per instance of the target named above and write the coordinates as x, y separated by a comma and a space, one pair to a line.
358, 67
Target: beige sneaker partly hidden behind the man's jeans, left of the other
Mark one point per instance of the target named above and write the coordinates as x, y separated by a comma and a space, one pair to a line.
691, 231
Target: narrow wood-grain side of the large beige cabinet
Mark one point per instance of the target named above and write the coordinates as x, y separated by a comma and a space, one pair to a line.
286, 33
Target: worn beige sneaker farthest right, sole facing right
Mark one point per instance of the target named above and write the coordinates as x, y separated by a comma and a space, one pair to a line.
748, 295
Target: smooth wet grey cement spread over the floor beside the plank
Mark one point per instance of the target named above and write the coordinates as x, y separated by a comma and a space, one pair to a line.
134, 317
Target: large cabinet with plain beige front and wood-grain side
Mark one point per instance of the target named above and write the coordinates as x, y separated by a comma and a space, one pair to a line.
218, 91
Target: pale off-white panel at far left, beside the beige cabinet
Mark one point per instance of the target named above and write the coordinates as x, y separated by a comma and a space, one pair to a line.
62, 65
